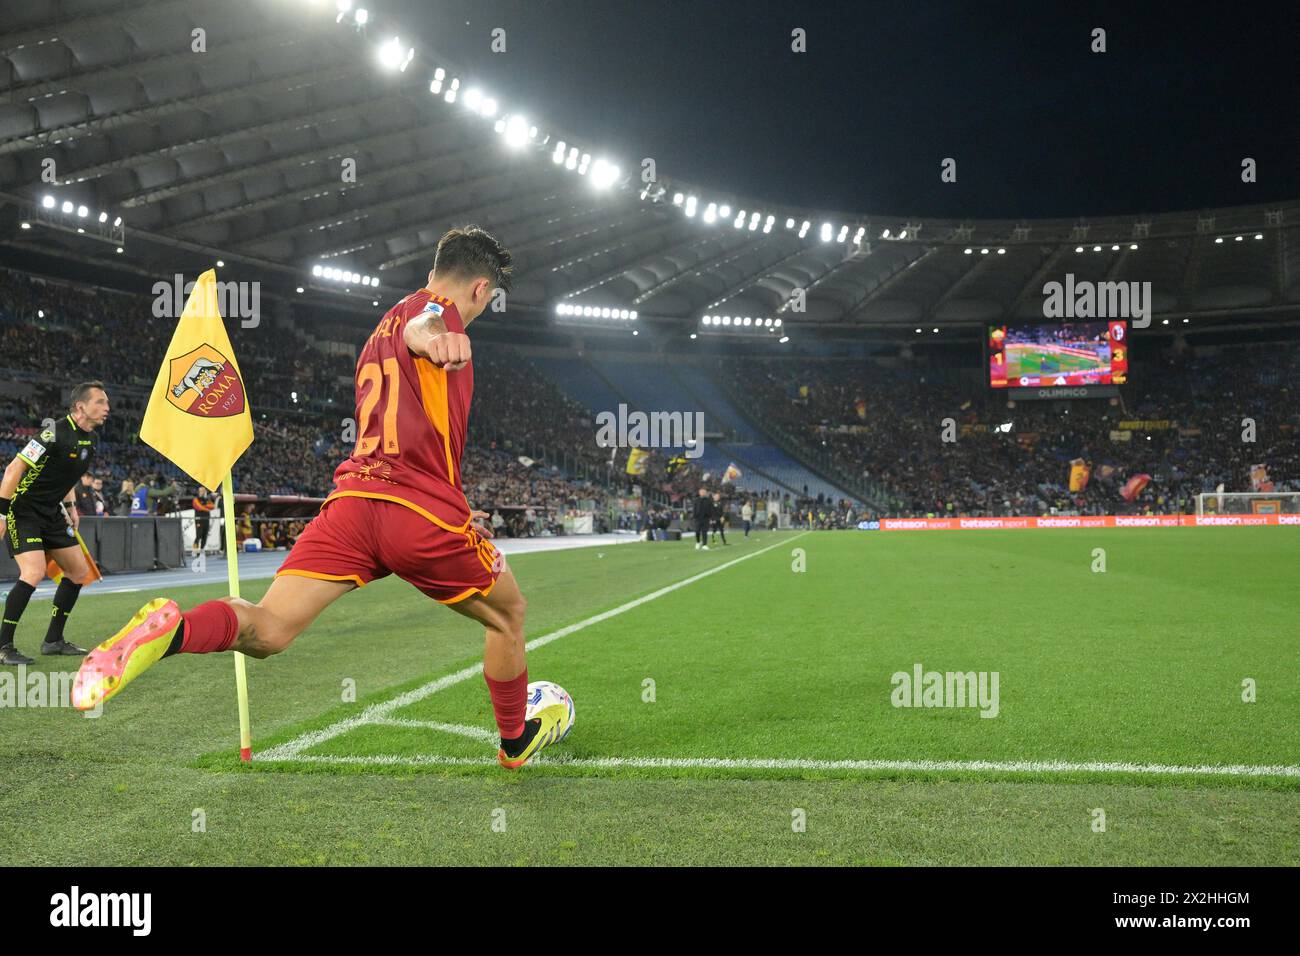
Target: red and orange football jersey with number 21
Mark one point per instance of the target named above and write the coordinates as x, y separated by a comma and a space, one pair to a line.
411, 421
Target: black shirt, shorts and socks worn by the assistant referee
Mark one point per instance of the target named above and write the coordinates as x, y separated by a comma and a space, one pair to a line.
36, 522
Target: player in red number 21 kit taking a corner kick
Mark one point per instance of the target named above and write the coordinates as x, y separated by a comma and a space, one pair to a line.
398, 508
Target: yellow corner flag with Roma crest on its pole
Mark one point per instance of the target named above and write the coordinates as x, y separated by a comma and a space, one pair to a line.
198, 418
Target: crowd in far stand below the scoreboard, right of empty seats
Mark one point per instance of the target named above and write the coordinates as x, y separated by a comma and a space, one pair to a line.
1181, 421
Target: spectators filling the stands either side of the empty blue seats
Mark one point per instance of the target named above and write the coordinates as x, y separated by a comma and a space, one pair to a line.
534, 457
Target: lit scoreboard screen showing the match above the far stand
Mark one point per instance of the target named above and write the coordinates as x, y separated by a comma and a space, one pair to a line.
1059, 356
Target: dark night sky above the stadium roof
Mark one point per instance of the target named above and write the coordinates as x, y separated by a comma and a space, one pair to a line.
1039, 126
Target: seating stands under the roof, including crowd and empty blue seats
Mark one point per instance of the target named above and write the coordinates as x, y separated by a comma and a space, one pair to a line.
800, 438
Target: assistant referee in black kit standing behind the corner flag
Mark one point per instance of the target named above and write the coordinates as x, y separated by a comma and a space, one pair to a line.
40, 518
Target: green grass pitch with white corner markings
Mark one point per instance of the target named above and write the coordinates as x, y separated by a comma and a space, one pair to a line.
744, 717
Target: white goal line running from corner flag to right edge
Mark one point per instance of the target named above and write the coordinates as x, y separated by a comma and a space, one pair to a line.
1025, 767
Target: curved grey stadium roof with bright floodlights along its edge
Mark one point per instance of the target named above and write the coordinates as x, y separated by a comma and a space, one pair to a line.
240, 152
